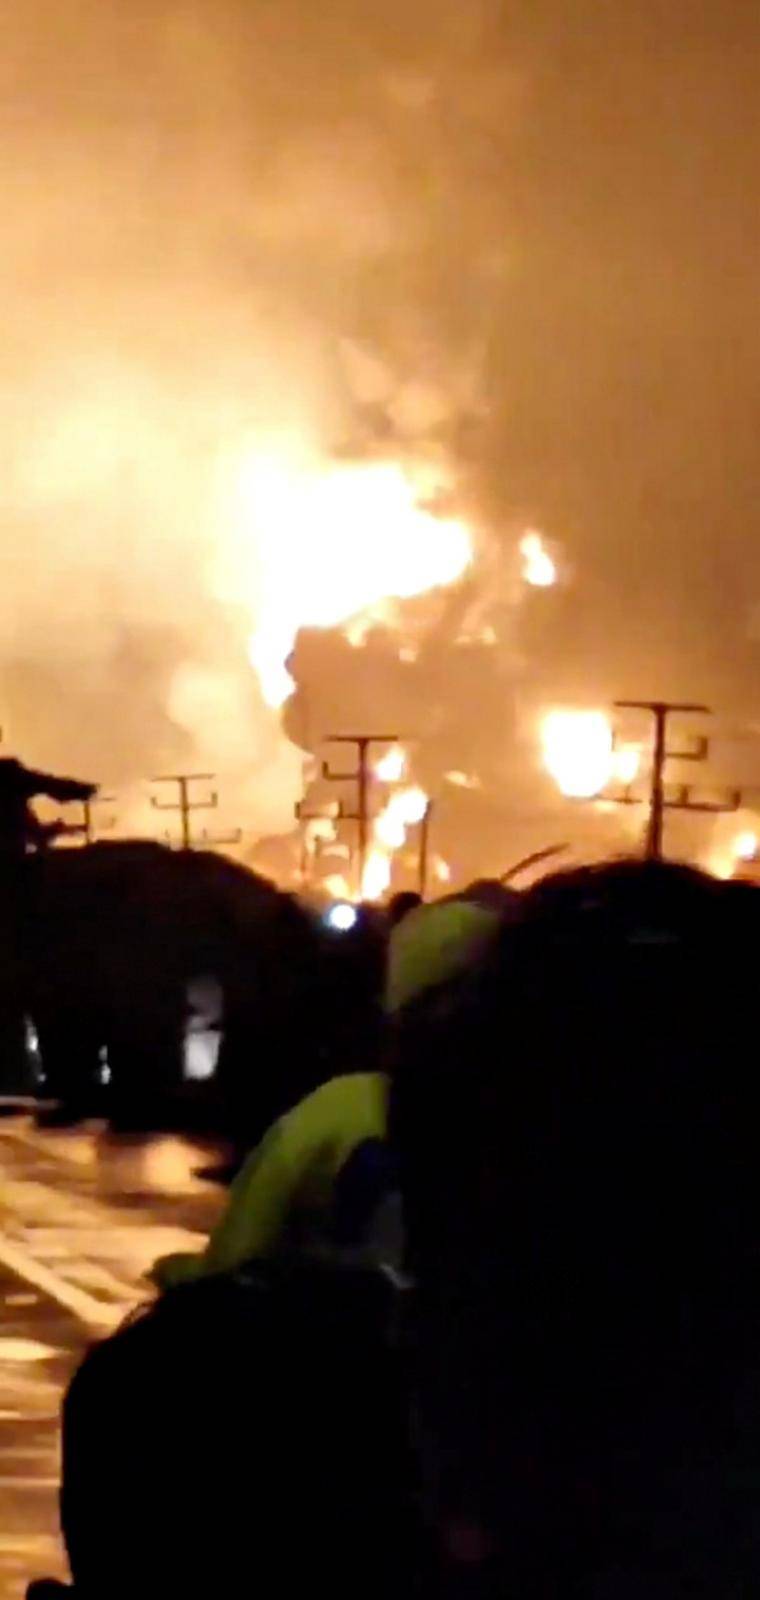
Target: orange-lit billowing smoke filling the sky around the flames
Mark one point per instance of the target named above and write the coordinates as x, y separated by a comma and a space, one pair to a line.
516, 239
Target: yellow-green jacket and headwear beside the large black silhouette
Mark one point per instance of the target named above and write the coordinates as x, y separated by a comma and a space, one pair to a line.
286, 1193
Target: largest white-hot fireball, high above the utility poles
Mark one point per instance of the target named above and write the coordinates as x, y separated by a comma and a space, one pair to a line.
327, 542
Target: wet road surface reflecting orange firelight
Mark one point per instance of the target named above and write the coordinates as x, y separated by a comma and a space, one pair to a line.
82, 1217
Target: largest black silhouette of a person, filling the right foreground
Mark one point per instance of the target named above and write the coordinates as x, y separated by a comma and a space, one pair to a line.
577, 1126
